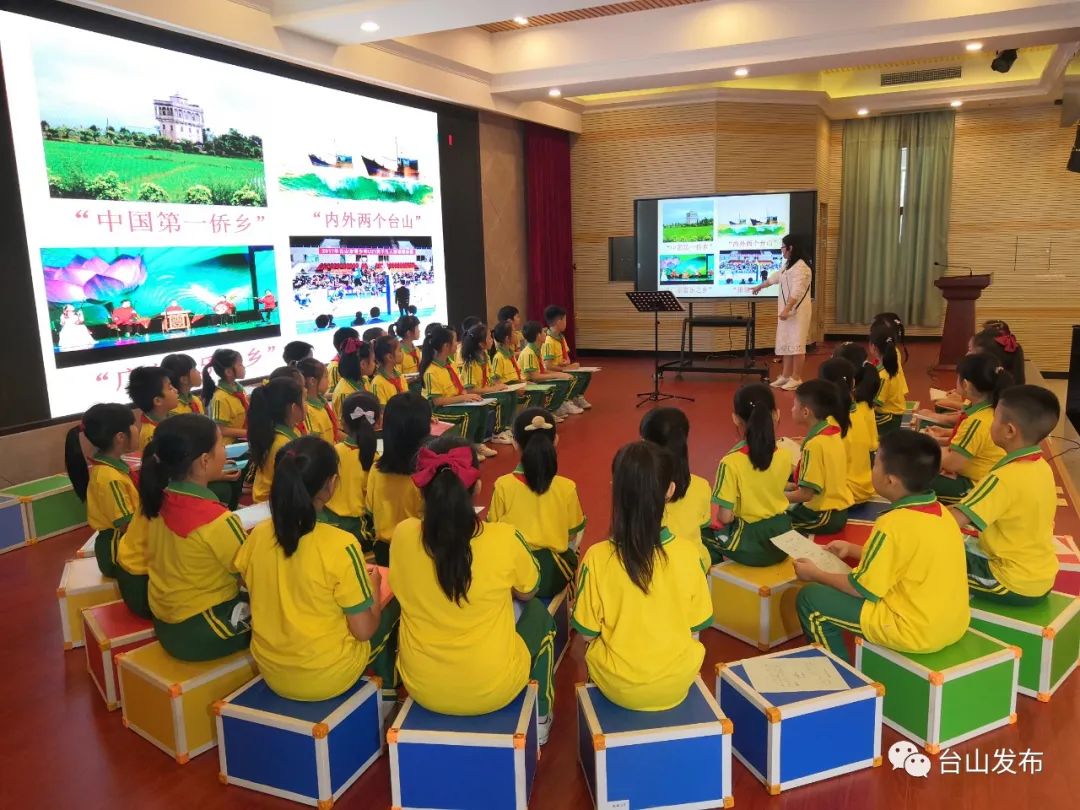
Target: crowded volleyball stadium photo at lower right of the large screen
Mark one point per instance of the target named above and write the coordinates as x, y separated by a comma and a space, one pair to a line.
340, 278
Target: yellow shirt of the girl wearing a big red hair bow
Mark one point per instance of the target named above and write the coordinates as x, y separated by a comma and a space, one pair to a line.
463, 659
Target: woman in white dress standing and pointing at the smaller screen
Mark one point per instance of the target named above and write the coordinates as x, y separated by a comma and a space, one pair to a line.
793, 315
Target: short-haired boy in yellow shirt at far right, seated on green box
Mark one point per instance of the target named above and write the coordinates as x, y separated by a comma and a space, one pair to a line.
1012, 560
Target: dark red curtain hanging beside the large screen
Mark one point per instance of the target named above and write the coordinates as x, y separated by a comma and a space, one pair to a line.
548, 217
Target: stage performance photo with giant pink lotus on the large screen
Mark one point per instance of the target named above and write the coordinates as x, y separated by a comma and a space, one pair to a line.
112, 298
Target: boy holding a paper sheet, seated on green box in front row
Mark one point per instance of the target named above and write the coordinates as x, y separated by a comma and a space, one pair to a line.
910, 591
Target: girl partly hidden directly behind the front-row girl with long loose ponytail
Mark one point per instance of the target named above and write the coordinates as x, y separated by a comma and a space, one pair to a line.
690, 514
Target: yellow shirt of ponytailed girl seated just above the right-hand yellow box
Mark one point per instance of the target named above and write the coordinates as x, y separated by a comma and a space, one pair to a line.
752, 495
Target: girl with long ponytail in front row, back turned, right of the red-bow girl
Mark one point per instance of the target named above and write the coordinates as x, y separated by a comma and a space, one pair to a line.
641, 598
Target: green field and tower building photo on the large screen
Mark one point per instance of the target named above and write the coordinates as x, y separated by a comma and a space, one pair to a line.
115, 130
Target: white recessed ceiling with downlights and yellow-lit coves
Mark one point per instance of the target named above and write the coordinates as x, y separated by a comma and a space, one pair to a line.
792, 48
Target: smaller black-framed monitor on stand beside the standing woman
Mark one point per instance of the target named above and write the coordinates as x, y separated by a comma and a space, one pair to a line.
719, 247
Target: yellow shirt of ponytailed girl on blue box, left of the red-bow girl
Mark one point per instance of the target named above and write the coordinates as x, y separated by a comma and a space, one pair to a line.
301, 637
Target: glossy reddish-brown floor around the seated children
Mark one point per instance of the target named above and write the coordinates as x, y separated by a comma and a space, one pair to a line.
60, 748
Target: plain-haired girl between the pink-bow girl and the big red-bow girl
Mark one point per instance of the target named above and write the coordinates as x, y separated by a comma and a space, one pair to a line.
391, 496
